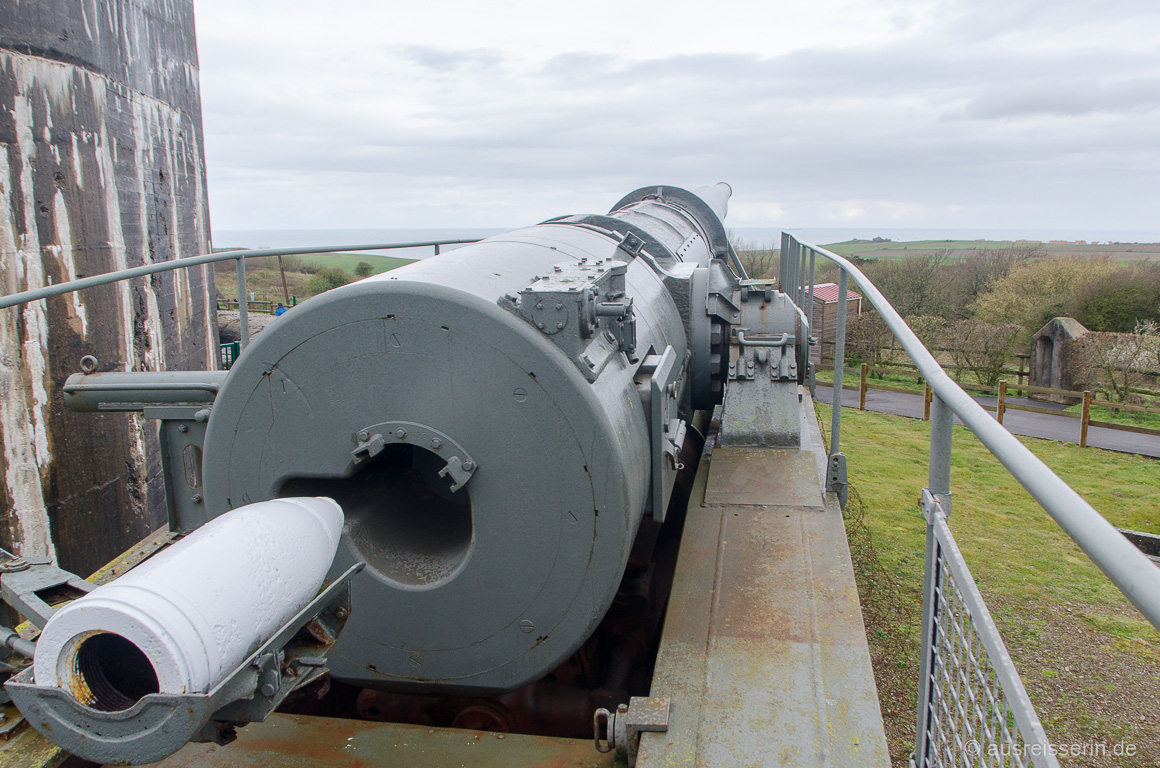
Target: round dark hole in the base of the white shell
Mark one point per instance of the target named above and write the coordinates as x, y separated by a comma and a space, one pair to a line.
110, 673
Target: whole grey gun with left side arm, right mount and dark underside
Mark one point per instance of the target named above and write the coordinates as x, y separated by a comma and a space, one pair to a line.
504, 426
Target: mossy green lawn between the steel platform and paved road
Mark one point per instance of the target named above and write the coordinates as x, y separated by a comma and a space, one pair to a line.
1090, 661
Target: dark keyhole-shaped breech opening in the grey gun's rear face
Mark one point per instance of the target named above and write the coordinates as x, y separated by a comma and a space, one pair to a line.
402, 517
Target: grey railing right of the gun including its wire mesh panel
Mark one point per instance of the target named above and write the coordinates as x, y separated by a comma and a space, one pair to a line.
973, 708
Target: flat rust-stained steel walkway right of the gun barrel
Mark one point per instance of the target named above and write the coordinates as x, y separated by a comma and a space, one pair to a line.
766, 662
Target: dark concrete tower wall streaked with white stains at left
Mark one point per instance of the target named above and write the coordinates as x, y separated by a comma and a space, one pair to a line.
101, 169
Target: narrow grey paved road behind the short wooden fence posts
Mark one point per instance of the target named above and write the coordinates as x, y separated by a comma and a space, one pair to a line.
1019, 423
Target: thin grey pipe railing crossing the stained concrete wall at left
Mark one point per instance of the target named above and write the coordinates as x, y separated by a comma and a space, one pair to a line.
241, 257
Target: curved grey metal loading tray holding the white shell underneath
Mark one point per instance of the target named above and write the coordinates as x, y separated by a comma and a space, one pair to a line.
161, 724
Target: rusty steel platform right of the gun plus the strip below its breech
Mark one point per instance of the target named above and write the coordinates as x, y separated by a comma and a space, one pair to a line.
764, 654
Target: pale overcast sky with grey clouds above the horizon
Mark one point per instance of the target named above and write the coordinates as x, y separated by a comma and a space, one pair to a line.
826, 114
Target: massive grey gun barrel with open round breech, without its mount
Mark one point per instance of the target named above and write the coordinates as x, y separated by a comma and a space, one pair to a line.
496, 422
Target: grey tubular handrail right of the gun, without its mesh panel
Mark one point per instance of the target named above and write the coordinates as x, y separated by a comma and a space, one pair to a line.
1133, 574
